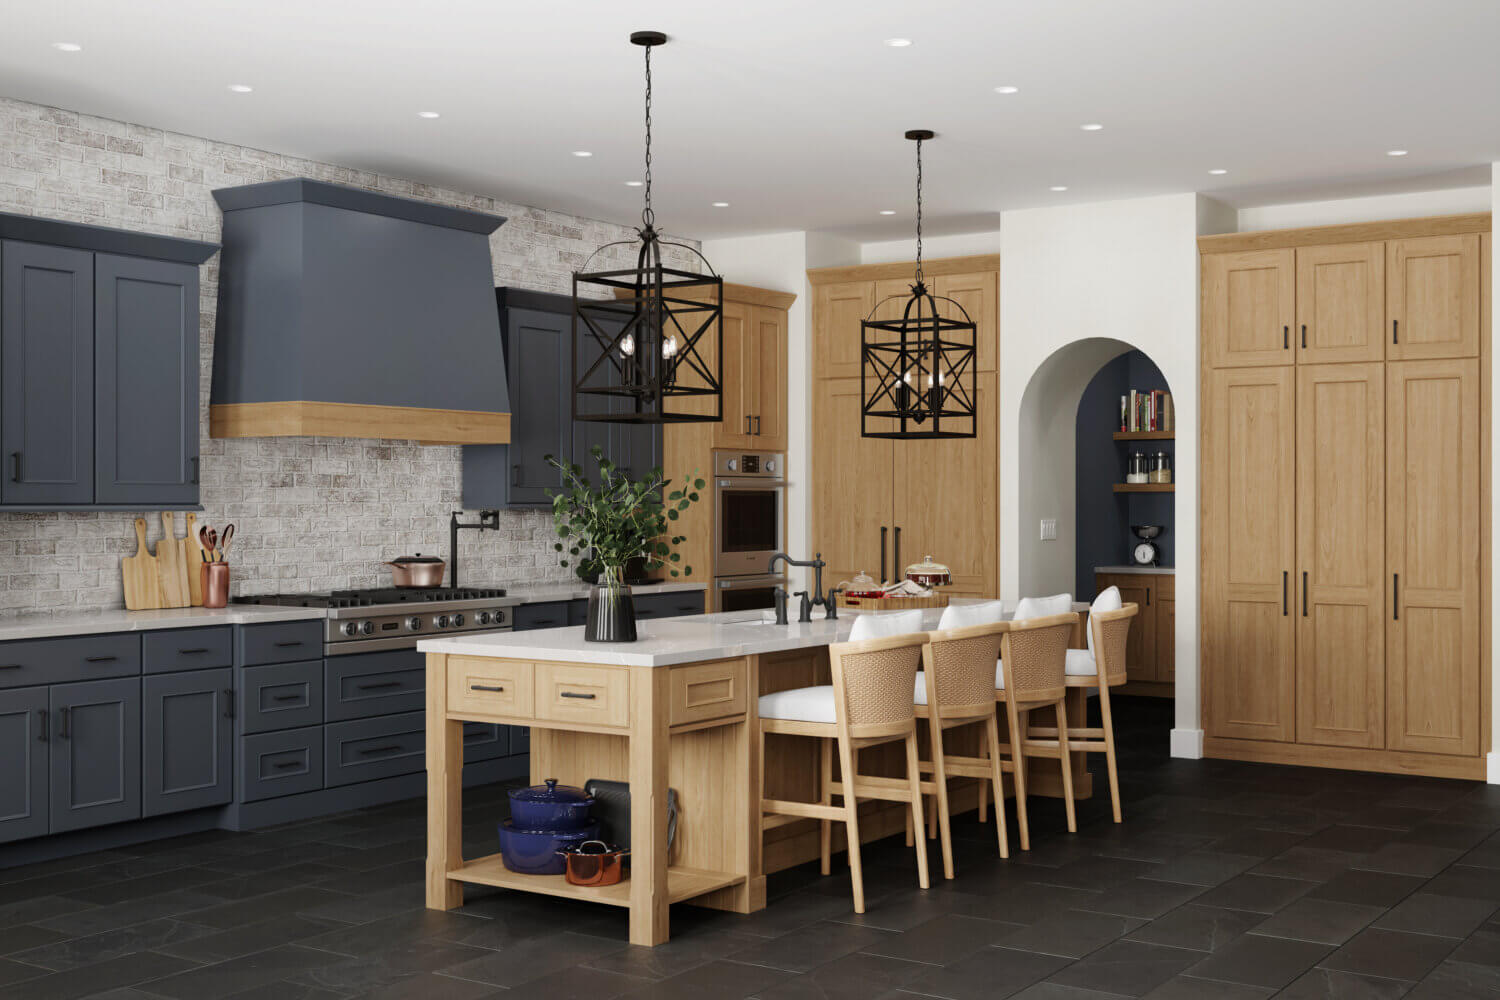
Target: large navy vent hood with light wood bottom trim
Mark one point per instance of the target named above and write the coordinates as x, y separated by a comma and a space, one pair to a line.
347, 314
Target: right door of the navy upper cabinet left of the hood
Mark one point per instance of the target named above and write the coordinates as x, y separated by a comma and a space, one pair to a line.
146, 338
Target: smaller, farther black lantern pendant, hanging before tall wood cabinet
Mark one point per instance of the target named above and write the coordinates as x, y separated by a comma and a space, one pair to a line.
917, 371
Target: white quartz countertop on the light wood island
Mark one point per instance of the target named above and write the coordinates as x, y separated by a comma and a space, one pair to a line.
668, 641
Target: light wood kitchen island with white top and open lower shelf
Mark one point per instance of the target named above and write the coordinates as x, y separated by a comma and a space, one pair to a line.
676, 710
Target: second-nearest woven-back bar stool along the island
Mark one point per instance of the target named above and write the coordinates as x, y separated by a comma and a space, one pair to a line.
958, 689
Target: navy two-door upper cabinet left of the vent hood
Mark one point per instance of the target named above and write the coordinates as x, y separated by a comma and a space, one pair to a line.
98, 367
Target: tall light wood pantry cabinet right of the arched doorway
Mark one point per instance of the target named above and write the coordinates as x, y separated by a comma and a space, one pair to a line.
1346, 485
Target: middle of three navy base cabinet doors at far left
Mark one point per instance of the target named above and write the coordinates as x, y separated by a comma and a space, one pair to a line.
97, 753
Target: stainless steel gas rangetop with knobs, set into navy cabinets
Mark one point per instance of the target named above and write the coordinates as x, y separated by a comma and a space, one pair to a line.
397, 618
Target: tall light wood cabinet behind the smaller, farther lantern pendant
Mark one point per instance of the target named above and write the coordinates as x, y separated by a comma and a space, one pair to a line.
880, 504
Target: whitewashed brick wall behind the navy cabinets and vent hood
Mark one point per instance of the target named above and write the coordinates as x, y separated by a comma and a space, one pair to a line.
311, 513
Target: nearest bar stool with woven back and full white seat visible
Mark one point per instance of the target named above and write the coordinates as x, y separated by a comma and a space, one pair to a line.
868, 704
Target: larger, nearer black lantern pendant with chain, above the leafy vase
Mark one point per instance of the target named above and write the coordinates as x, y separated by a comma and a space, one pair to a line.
647, 346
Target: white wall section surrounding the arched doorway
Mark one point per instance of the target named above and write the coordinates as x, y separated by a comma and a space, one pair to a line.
1124, 272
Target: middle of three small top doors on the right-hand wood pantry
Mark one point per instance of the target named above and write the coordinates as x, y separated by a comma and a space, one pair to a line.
1342, 304
